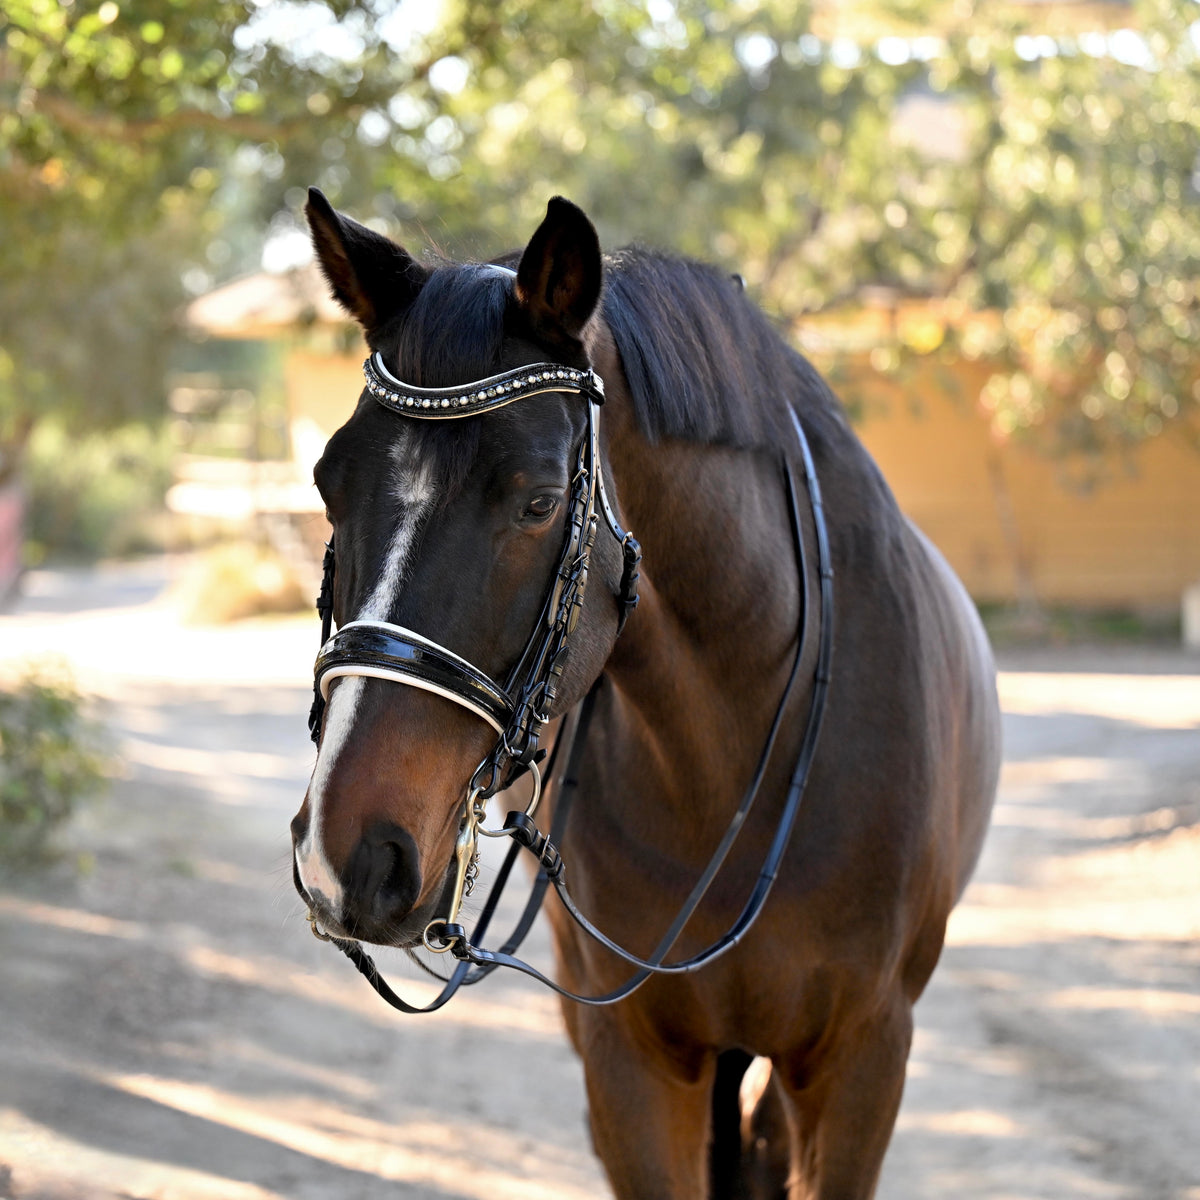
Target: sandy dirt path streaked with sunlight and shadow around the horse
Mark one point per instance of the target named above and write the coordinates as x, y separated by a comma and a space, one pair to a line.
170, 1030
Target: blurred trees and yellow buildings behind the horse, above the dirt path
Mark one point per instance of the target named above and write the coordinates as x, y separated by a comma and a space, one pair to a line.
981, 219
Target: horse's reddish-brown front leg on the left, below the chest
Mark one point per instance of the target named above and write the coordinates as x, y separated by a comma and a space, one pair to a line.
649, 1107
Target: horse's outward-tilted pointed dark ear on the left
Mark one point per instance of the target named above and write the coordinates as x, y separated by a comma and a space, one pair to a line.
371, 278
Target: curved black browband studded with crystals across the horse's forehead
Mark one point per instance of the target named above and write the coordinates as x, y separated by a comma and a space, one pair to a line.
481, 397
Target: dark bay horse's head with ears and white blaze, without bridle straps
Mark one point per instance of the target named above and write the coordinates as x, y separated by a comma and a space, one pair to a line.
455, 532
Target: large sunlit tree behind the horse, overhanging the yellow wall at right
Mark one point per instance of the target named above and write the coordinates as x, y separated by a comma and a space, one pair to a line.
1003, 164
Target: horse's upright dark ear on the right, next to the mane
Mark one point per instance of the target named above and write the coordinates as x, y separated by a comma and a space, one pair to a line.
560, 278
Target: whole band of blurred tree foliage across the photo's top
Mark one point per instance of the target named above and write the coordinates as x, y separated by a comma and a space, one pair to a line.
994, 159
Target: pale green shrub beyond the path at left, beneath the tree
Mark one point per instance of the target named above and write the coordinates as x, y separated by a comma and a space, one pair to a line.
95, 496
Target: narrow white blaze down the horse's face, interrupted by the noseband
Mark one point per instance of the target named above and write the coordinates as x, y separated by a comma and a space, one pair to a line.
413, 488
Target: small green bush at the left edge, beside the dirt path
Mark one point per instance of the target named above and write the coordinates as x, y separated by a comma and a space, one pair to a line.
52, 758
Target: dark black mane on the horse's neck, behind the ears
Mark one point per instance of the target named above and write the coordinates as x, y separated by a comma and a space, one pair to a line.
703, 363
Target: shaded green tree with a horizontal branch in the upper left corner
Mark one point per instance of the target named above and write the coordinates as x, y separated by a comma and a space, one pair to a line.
127, 134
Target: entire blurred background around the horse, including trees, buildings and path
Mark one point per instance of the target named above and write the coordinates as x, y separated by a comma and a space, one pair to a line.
980, 218
